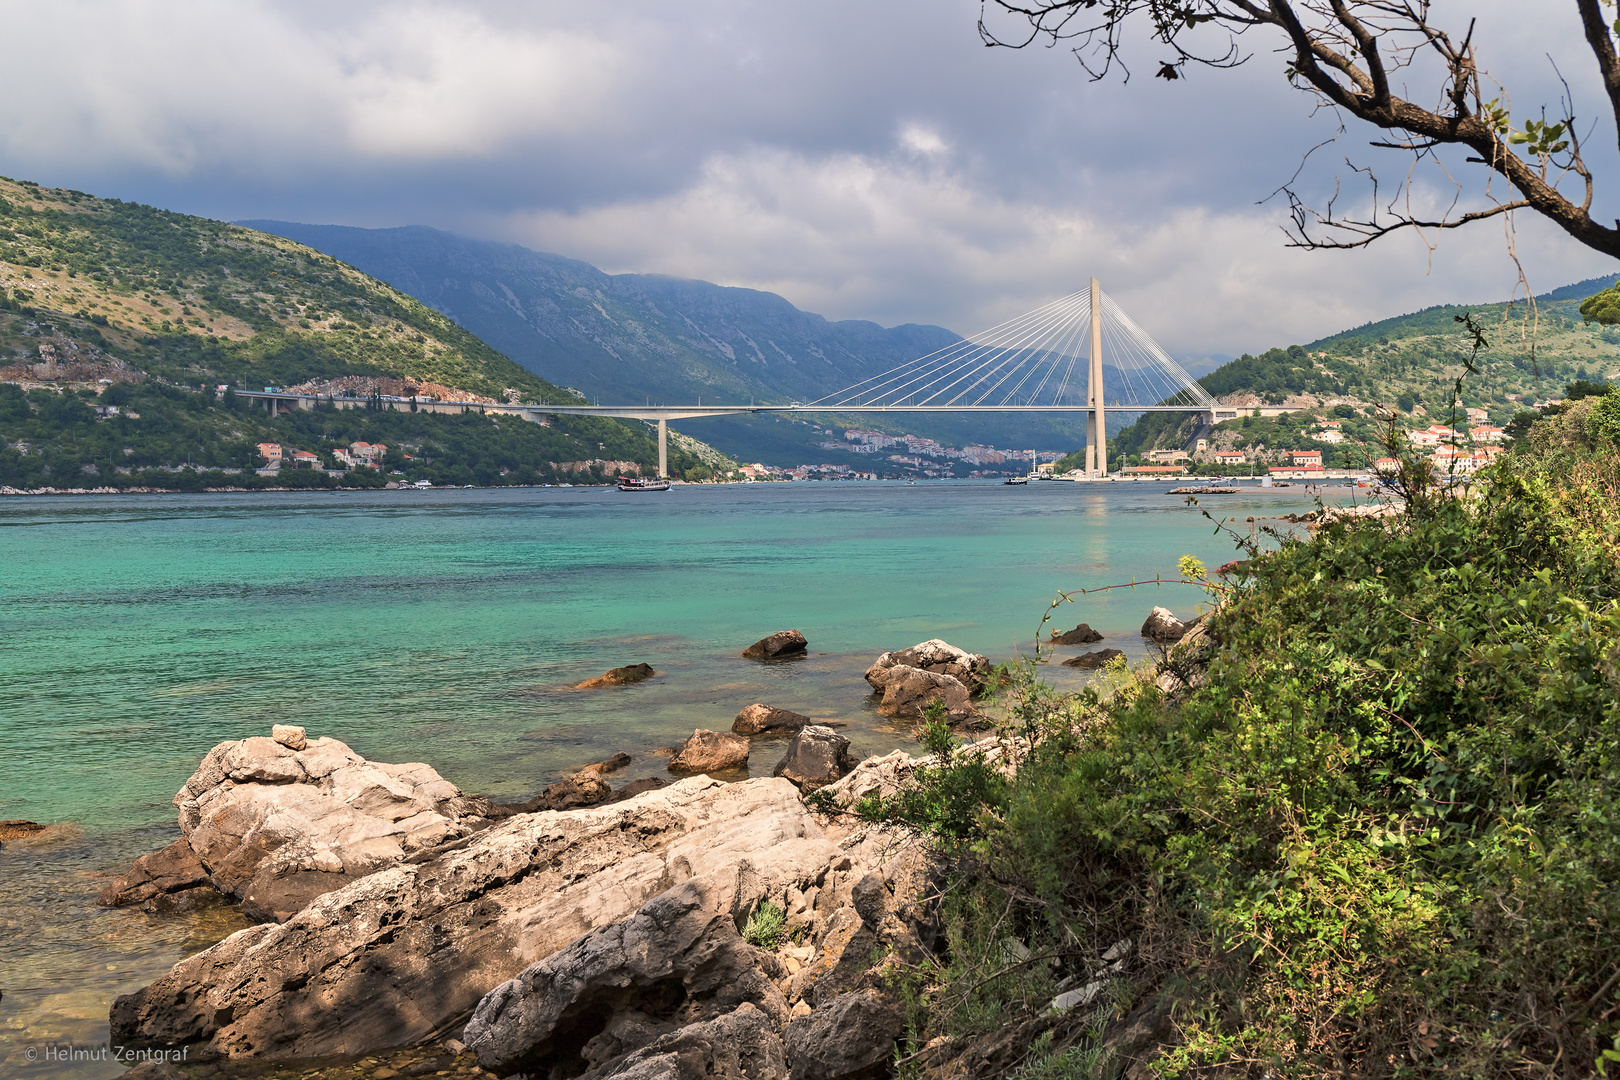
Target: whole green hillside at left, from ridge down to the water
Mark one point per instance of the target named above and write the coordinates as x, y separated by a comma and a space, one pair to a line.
109, 304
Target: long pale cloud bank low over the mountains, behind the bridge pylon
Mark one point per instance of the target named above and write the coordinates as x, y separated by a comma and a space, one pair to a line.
885, 239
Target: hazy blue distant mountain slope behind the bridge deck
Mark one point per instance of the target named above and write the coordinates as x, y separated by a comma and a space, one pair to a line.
637, 338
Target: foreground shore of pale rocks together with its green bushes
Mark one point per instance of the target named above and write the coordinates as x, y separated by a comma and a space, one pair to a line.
1355, 820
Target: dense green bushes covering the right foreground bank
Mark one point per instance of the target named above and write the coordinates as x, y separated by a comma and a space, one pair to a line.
1379, 840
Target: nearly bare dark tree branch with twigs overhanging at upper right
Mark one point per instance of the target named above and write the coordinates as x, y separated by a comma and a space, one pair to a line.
1344, 53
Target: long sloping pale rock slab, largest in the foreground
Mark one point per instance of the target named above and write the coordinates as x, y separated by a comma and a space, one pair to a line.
403, 953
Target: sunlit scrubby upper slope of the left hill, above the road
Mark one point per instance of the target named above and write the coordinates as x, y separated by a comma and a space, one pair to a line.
194, 300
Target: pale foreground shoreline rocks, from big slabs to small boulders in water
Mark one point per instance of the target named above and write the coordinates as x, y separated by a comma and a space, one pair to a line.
662, 929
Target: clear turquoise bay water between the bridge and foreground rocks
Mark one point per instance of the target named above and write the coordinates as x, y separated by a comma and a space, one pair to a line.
450, 627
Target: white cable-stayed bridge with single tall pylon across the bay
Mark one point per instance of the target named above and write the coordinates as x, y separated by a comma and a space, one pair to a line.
1052, 360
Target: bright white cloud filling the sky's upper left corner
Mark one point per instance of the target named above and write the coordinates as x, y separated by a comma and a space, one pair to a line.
185, 85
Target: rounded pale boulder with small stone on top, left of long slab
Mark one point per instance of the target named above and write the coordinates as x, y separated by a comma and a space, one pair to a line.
276, 828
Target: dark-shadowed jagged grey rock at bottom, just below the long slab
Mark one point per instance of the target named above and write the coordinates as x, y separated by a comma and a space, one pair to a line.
681, 951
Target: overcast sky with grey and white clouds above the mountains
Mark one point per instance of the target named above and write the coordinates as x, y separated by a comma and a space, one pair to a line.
866, 159
